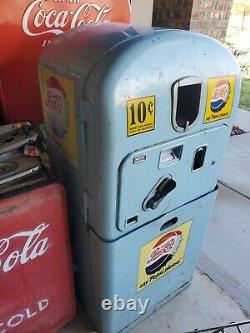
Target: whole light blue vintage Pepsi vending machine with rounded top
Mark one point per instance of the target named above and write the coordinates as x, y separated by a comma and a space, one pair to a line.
137, 122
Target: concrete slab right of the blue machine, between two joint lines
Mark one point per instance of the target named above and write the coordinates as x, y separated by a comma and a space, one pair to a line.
226, 249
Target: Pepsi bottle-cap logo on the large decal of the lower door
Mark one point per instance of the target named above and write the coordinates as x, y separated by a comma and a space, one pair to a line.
163, 251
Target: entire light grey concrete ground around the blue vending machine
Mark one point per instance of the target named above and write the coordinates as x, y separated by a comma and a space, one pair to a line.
220, 290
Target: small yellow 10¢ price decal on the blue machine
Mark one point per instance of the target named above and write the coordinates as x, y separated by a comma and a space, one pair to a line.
141, 115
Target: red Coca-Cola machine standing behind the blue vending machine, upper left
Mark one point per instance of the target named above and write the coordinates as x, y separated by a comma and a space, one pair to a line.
25, 28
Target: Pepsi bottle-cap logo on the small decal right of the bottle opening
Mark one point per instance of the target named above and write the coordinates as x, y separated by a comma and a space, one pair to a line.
220, 95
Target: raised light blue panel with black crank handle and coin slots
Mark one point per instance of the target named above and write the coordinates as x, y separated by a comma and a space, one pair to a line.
157, 179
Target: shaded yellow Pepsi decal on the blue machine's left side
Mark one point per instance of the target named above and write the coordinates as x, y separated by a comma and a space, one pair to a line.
58, 100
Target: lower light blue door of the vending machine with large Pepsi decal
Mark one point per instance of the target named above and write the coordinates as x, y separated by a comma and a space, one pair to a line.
158, 261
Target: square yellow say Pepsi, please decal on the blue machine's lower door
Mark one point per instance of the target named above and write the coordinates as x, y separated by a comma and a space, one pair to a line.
162, 254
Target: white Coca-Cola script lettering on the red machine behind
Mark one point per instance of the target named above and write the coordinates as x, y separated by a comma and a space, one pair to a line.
53, 21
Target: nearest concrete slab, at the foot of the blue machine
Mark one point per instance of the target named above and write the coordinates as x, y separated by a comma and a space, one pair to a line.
188, 310
